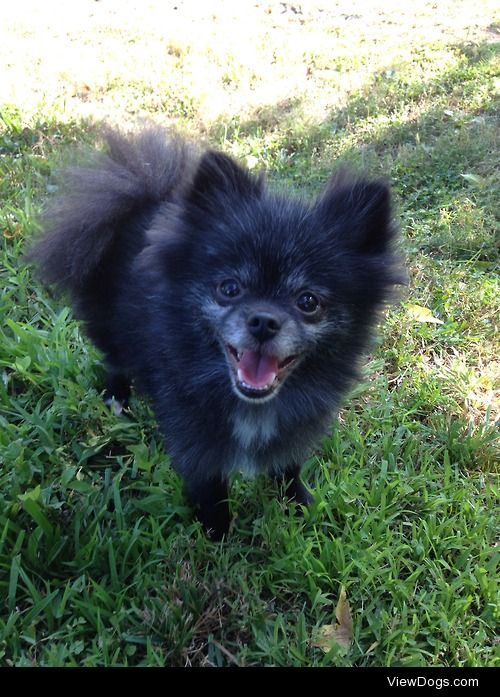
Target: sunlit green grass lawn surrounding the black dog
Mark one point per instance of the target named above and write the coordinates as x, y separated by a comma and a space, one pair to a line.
100, 560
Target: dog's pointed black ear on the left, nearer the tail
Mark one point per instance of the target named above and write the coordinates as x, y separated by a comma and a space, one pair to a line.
219, 177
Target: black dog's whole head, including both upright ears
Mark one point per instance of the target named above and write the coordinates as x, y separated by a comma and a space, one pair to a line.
277, 282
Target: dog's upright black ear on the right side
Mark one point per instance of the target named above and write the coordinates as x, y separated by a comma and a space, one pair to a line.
359, 212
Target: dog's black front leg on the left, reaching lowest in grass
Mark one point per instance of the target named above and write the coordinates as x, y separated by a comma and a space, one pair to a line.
209, 500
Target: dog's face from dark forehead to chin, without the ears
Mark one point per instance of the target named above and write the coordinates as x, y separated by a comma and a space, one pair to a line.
268, 299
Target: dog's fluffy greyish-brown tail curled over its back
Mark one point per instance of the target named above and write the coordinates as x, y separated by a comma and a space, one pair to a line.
96, 200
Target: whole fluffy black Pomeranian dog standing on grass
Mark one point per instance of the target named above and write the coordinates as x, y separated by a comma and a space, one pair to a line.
242, 314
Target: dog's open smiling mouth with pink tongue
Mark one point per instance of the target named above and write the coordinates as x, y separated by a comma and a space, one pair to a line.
257, 375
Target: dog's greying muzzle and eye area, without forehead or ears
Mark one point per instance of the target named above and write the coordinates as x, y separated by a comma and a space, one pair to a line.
264, 337
